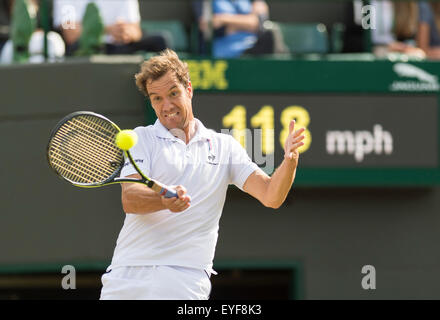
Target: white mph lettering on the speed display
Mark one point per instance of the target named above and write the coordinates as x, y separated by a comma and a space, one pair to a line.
360, 143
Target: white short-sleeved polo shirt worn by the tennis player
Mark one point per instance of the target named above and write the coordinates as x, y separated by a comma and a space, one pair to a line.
205, 167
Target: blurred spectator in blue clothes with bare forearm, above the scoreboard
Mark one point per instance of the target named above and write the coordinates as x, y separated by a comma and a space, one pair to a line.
237, 27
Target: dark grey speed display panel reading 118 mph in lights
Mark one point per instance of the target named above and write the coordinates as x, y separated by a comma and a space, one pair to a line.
342, 131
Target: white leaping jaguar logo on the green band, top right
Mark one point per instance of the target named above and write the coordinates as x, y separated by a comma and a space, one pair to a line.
426, 81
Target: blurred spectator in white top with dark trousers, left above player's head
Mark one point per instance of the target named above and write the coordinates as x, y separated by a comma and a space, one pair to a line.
121, 18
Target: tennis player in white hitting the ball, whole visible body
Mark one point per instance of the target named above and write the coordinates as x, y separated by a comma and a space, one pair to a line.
166, 247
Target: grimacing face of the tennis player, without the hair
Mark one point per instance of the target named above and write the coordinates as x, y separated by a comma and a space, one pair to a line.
171, 101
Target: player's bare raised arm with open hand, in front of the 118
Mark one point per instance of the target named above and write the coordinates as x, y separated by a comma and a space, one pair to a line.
272, 191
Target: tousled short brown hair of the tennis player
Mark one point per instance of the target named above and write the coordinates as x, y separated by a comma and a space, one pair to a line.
157, 66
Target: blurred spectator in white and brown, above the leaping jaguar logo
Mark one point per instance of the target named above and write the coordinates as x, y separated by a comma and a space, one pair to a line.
396, 28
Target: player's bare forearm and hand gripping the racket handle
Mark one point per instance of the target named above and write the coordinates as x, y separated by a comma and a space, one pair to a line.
139, 199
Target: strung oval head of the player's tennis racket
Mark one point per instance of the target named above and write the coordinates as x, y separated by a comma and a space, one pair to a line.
83, 150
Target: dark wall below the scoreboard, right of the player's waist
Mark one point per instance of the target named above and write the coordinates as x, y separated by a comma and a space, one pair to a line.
334, 232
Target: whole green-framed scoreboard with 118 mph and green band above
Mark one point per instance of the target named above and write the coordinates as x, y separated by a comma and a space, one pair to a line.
366, 124
